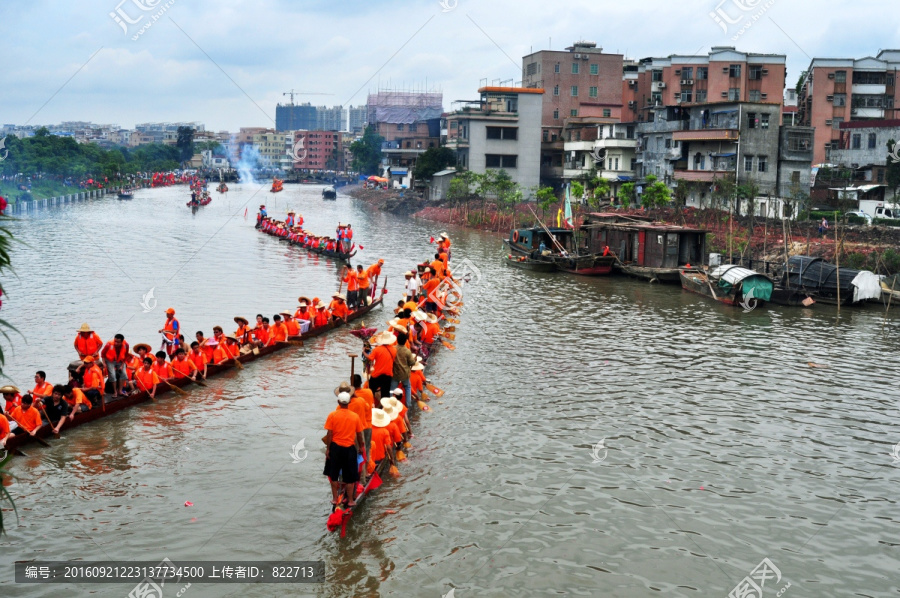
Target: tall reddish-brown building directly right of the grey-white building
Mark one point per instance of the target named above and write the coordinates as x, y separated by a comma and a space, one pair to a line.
580, 81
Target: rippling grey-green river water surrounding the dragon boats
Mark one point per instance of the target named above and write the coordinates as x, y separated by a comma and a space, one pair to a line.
598, 437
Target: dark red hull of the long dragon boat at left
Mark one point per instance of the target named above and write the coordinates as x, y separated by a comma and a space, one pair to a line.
114, 405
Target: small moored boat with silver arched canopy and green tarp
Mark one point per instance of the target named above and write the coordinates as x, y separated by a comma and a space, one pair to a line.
731, 285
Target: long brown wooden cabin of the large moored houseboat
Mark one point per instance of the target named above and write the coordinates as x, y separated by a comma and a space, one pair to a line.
645, 244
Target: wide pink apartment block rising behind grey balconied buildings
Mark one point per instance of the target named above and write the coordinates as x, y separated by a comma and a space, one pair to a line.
725, 74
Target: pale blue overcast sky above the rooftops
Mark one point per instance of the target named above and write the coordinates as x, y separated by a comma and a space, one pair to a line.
226, 63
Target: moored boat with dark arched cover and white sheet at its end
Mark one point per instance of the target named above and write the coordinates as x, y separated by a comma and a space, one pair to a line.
825, 282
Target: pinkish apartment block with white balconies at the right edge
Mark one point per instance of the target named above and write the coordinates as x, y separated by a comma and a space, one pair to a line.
839, 90
